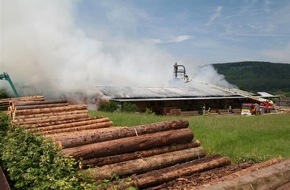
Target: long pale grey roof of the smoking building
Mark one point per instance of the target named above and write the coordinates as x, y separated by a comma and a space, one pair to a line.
196, 91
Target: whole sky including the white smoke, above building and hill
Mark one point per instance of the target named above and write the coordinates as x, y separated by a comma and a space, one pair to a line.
62, 45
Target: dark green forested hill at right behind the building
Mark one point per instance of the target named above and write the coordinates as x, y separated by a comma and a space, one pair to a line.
256, 76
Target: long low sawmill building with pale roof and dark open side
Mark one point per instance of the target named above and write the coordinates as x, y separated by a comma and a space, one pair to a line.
165, 100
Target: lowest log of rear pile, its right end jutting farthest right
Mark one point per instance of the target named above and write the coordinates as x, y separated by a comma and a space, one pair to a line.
77, 128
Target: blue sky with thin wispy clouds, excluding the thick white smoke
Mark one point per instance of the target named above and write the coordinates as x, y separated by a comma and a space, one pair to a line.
205, 31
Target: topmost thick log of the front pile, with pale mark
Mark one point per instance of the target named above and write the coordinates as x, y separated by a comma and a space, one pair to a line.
104, 135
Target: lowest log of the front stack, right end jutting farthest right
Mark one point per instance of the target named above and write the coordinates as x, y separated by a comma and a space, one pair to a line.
160, 176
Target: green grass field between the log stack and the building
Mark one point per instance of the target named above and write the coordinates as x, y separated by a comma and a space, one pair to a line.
255, 138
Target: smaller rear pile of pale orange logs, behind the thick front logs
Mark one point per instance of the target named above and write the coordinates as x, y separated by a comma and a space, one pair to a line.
52, 116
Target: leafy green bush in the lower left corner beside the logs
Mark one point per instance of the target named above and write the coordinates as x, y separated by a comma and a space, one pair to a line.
32, 162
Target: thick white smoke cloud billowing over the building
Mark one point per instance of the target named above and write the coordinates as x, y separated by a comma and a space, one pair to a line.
43, 46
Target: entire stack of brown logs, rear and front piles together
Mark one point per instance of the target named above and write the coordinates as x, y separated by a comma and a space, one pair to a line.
149, 154
